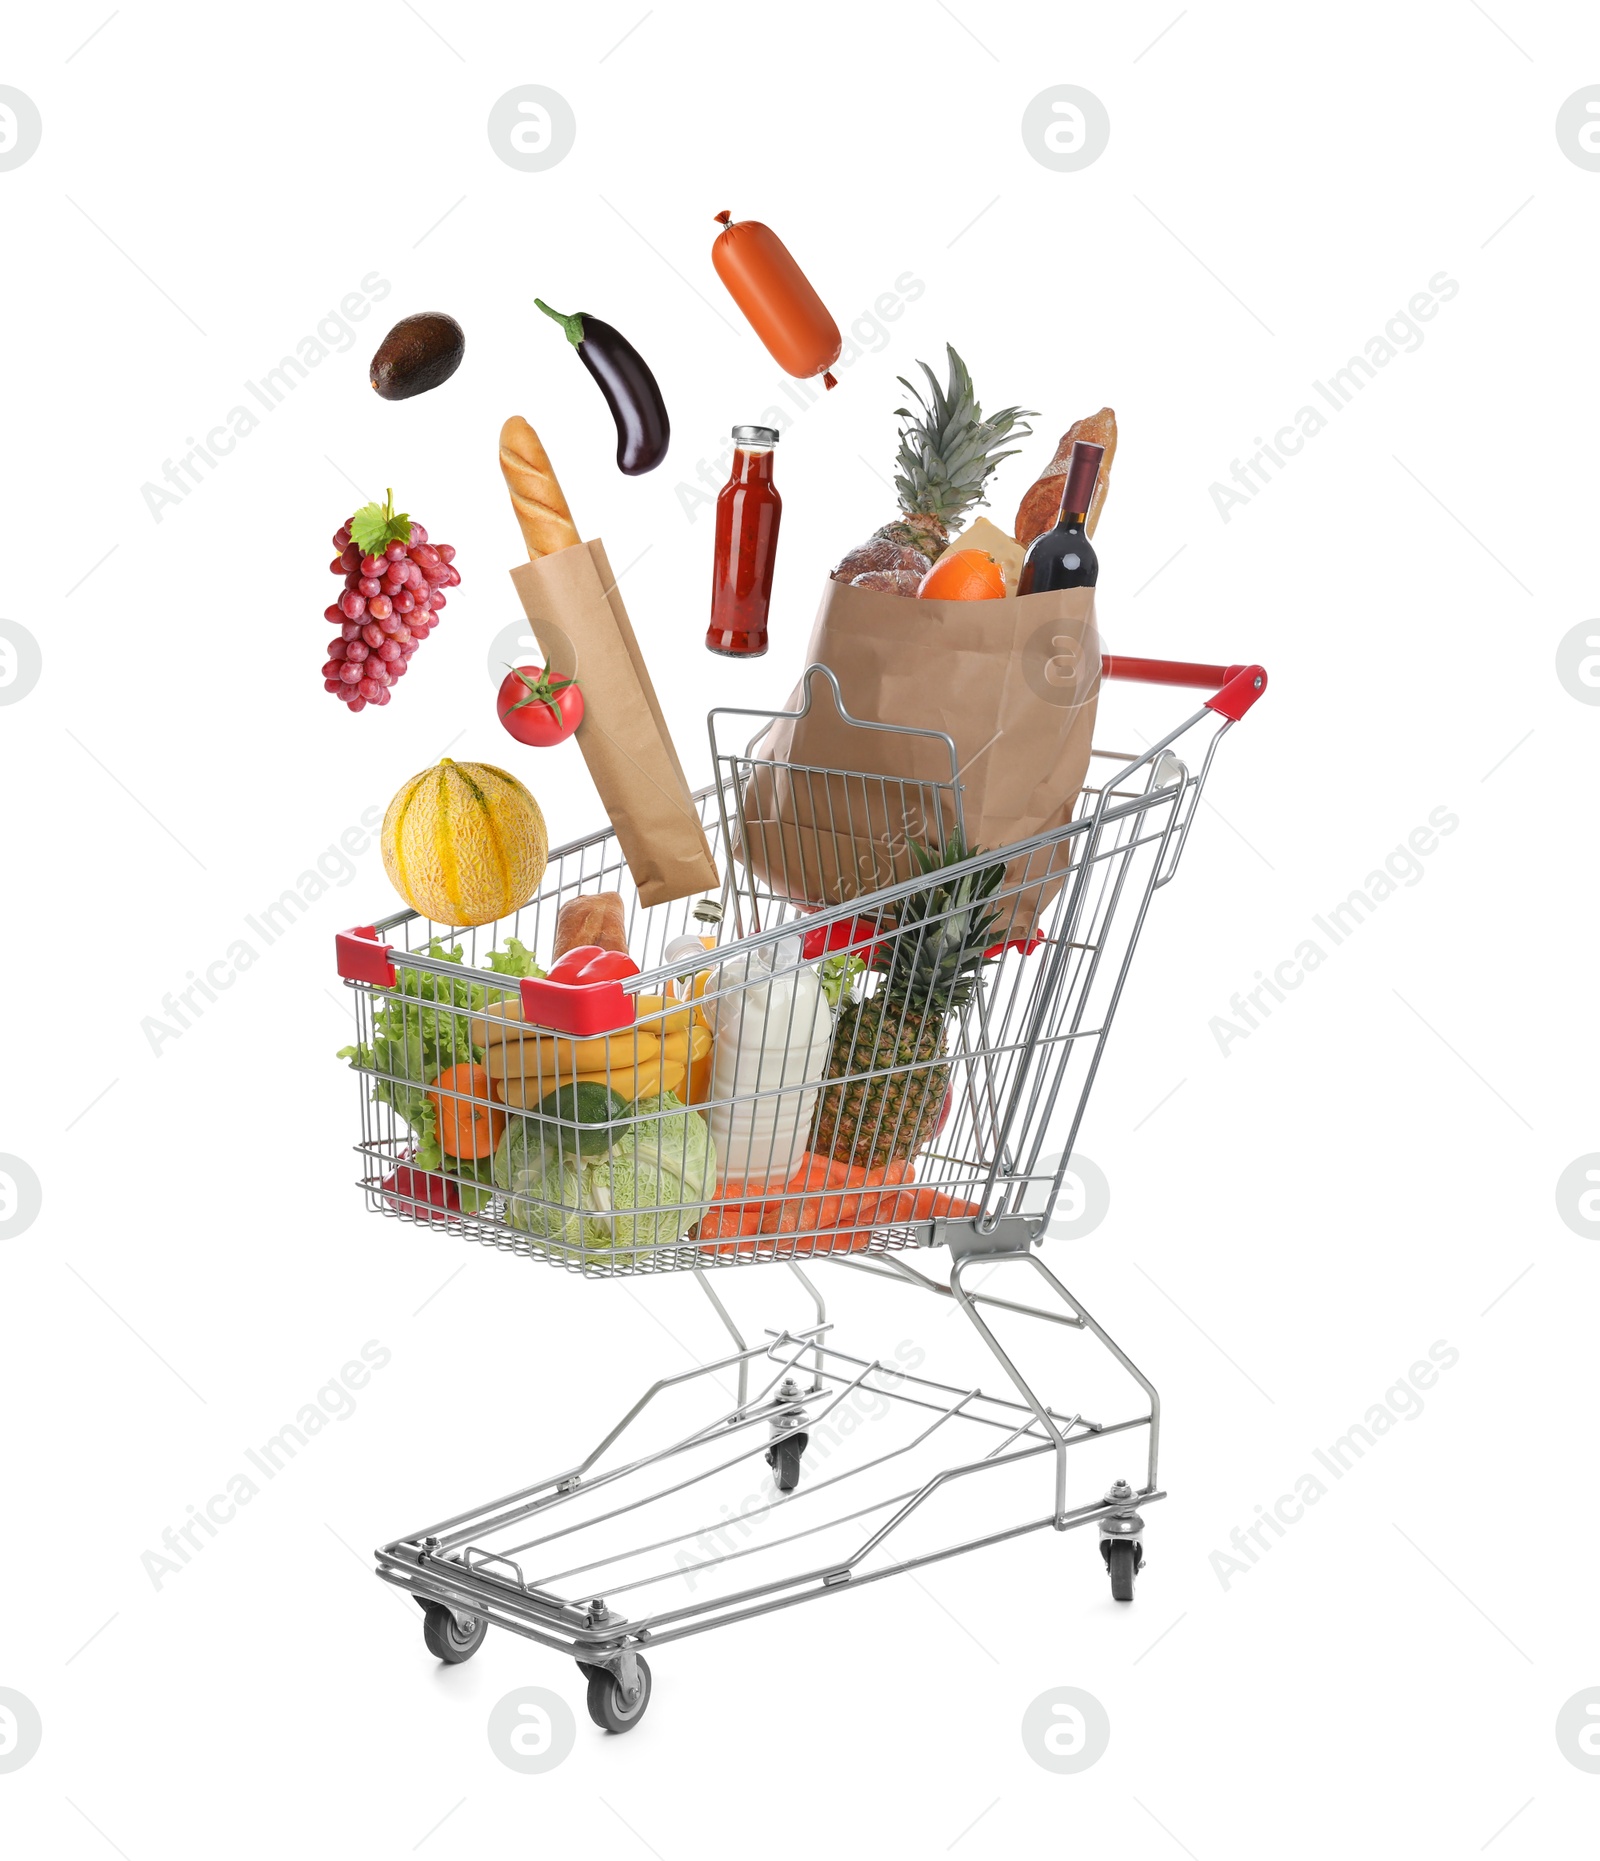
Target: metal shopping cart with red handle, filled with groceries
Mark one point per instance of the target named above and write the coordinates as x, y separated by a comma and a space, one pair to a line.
900, 1071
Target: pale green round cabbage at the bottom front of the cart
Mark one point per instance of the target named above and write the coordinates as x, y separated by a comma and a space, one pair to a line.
624, 1199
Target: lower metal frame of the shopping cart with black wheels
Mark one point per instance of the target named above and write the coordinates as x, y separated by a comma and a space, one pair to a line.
801, 1378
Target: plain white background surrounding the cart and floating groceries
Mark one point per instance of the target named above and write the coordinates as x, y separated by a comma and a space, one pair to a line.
1296, 1225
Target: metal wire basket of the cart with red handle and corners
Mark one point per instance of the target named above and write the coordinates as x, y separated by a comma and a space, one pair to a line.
890, 1073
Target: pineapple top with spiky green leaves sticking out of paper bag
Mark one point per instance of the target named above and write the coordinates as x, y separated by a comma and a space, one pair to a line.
944, 462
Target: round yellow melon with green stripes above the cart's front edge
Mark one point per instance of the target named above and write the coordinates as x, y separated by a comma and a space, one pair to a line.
464, 844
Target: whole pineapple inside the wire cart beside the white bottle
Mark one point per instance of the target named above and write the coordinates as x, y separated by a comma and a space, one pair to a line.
926, 969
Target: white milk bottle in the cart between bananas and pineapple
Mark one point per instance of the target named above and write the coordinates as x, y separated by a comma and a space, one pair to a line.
775, 1028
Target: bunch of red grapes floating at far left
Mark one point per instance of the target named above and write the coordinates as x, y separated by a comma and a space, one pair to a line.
390, 606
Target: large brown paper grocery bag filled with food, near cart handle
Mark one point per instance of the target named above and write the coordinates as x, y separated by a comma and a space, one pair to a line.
1011, 682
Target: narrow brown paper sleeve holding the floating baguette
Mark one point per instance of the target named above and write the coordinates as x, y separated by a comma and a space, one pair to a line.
583, 630
